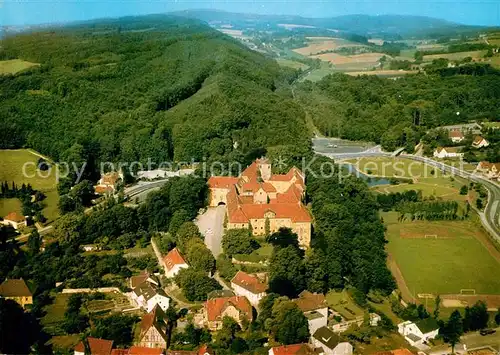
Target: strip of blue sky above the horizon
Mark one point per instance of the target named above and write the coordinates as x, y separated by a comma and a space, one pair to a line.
475, 12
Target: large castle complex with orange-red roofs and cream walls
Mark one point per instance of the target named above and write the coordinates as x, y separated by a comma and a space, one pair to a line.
263, 201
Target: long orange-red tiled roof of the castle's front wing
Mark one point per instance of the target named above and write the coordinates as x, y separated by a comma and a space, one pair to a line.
245, 212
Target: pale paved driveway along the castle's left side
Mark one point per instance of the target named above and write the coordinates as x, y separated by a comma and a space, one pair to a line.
211, 225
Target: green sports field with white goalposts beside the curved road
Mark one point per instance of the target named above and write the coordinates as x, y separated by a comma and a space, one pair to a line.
443, 257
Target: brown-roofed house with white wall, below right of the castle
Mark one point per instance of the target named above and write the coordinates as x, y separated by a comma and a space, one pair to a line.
315, 309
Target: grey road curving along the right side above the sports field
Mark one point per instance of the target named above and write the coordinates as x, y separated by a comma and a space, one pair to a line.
490, 218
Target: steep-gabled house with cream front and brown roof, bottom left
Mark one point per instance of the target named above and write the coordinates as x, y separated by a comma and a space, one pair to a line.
153, 330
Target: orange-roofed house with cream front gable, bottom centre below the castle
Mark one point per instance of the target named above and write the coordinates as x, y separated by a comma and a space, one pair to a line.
236, 307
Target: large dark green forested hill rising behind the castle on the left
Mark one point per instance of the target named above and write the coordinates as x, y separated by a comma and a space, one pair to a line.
156, 87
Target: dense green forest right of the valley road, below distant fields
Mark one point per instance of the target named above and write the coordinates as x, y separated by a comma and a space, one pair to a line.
397, 112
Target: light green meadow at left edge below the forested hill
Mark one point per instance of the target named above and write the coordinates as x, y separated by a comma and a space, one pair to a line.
11, 169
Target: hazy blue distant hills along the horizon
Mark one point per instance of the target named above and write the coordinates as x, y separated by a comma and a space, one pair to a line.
366, 25
